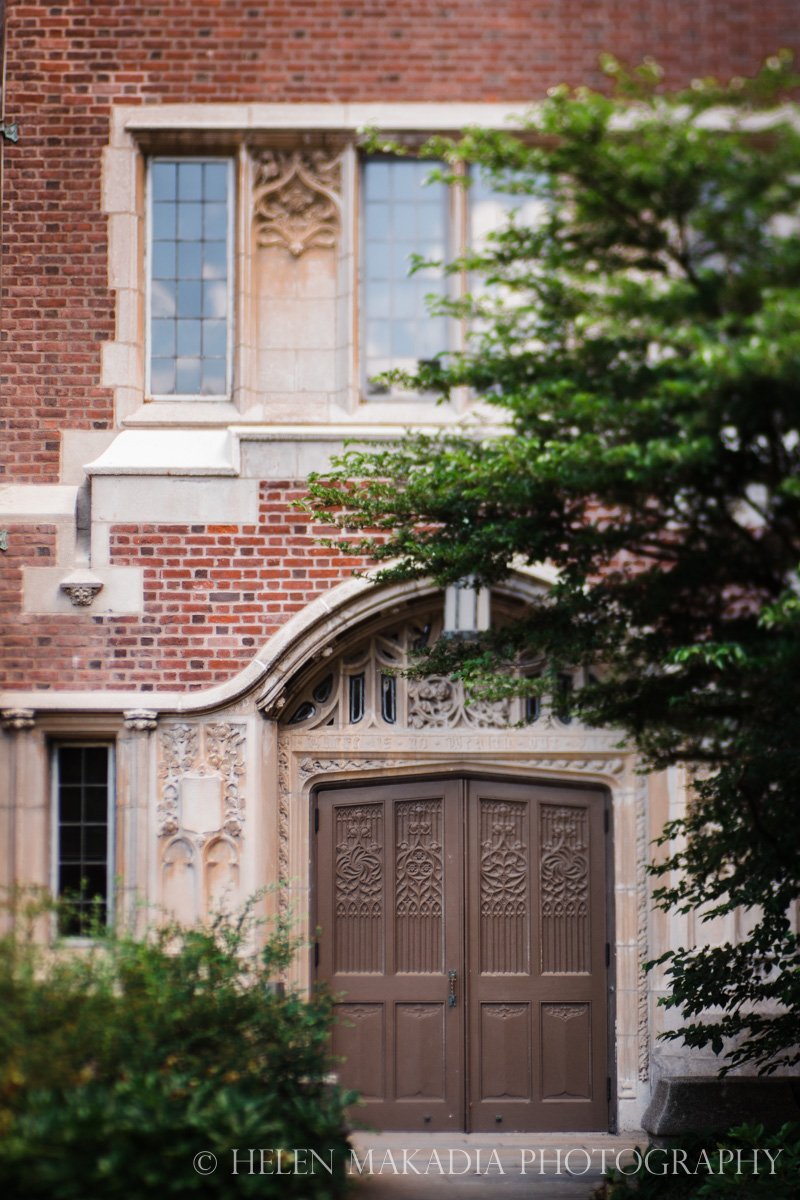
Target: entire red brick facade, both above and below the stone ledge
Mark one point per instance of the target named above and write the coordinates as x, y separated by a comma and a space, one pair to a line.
214, 592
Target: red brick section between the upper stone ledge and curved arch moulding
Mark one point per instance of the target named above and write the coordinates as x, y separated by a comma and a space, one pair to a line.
213, 595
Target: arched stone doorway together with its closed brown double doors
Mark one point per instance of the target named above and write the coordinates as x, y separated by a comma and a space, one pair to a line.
351, 728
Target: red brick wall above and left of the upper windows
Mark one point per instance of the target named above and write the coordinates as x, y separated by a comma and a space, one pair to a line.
69, 62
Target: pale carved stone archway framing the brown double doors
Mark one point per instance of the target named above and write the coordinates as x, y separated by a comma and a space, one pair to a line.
335, 733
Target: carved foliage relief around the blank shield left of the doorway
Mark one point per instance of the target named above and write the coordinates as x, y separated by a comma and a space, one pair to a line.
210, 751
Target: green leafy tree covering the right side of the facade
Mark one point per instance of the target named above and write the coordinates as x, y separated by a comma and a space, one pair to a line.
637, 350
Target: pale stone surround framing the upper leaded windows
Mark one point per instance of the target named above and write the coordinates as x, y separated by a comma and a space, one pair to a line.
238, 130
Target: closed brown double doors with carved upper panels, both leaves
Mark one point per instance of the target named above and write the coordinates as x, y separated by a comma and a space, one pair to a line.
462, 927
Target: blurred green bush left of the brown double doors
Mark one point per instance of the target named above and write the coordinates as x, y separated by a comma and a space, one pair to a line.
122, 1063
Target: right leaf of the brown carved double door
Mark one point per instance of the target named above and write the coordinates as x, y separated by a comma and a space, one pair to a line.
538, 987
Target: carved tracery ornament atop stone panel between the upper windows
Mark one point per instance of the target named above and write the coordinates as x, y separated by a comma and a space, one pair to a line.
297, 201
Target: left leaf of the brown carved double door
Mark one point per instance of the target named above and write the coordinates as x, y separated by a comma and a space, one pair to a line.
390, 908
